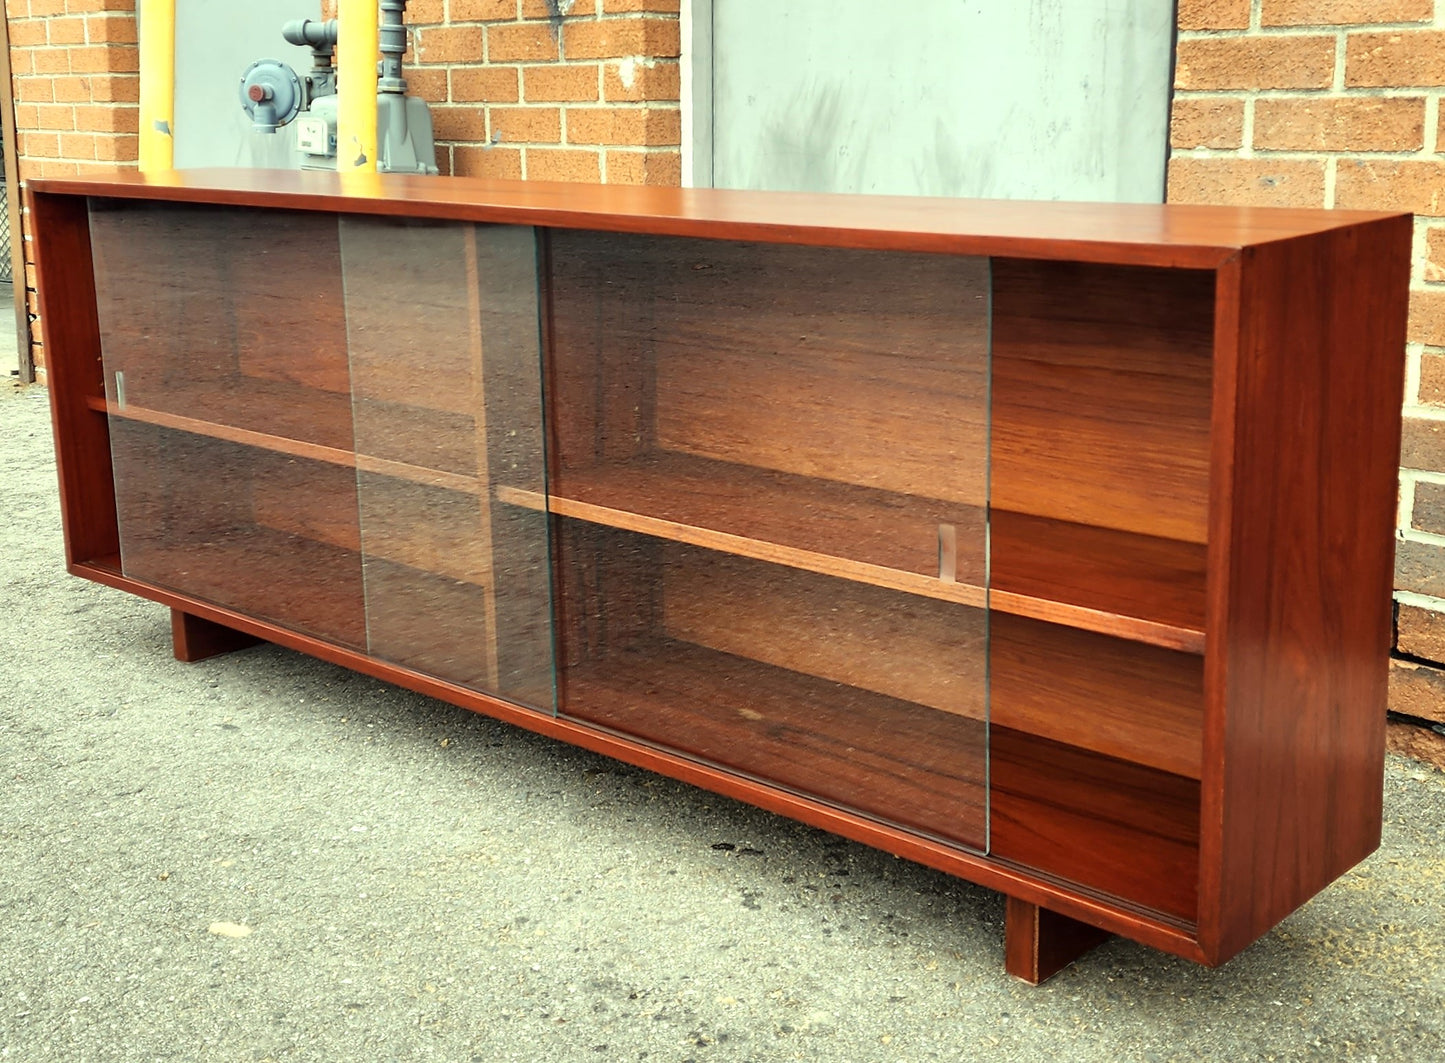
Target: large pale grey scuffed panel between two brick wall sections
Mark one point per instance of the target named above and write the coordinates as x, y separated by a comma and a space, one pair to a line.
1001, 99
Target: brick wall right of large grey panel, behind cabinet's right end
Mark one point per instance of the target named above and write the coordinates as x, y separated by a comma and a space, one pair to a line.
1337, 103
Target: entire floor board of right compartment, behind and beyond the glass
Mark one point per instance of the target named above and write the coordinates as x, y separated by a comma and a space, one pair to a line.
904, 763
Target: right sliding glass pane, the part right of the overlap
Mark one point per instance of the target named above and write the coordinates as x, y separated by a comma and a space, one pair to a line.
771, 479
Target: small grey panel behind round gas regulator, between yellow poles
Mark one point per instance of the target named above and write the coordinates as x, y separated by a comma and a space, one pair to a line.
216, 43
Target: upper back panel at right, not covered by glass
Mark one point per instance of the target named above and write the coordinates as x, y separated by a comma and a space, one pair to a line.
1102, 395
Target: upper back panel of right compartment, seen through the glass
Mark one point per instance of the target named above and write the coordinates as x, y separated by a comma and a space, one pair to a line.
863, 368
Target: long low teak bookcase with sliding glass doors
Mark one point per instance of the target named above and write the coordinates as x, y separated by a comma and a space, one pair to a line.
1048, 545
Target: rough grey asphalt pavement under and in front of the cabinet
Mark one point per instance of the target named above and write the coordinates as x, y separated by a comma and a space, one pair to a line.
264, 857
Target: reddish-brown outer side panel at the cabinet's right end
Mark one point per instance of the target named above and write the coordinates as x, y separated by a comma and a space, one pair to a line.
1301, 628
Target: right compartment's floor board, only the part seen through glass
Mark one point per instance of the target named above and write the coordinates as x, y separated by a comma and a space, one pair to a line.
887, 758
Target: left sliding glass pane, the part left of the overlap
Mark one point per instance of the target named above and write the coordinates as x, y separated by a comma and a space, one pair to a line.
228, 388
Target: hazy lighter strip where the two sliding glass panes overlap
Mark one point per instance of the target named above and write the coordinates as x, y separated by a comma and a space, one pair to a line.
447, 399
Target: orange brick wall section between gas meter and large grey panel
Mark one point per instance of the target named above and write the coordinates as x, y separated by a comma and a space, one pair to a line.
551, 90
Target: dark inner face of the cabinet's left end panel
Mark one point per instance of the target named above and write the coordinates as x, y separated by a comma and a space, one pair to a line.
66, 284
